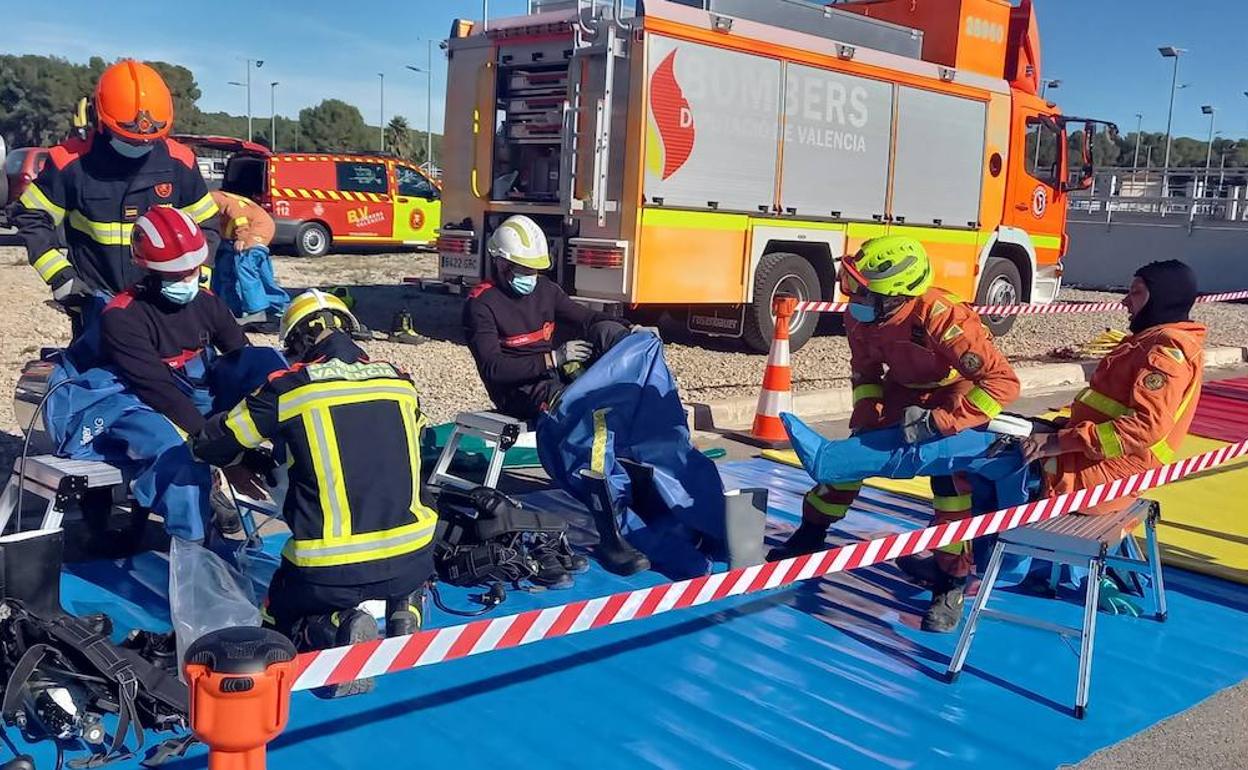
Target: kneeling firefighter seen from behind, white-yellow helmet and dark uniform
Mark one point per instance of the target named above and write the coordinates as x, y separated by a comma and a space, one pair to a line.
350, 429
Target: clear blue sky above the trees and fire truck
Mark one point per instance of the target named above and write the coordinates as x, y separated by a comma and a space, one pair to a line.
1105, 52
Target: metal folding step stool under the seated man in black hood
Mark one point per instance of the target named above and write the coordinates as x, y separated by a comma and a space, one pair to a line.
1096, 542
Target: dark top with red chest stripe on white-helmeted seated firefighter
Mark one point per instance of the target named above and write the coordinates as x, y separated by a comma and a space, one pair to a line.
511, 335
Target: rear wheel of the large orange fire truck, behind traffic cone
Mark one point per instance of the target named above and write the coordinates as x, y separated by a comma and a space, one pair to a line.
782, 274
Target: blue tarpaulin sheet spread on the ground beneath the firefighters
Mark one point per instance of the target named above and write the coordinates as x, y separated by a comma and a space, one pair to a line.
832, 673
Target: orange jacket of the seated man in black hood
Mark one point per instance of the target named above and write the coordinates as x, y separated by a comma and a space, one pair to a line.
1136, 410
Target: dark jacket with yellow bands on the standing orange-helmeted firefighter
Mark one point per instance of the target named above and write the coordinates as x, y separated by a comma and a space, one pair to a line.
98, 195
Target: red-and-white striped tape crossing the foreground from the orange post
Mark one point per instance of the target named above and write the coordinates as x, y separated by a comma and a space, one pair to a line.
427, 648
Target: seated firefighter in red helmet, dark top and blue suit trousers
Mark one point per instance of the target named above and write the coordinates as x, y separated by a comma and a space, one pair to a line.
138, 383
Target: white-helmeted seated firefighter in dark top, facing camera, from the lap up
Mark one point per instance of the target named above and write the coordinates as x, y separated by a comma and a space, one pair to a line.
511, 325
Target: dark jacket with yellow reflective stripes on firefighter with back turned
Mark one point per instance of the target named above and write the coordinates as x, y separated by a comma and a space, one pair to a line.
351, 434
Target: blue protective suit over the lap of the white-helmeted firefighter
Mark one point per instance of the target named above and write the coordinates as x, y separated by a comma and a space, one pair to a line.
627, 406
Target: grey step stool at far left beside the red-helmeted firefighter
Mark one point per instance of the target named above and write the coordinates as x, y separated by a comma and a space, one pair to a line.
62, 484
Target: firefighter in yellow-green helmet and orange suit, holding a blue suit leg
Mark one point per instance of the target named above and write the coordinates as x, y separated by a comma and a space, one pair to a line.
922, 359
